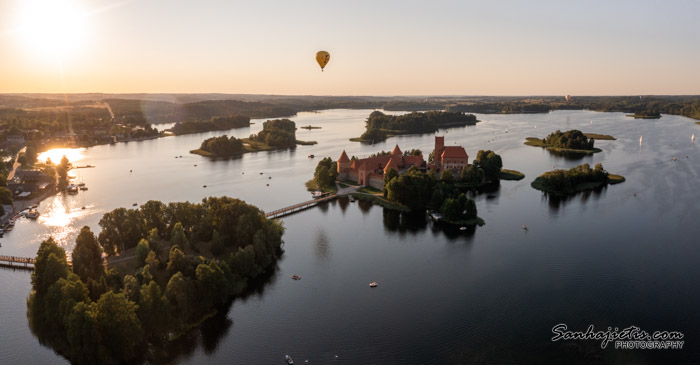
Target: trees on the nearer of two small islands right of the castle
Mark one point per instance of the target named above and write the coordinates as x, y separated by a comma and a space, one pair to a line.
565, 181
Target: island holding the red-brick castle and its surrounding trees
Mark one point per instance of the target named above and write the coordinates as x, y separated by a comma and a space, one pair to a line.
405, 182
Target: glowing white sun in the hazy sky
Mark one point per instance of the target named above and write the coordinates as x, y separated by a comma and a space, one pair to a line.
51, 27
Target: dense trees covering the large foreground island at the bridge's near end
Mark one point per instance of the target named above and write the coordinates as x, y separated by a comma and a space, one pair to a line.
95, 316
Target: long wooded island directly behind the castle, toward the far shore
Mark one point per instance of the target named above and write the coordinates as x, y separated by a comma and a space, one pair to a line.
380, 126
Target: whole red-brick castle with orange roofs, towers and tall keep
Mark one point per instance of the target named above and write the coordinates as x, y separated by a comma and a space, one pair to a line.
370, 171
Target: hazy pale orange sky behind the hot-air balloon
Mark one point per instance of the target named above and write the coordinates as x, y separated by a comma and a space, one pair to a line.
377, 47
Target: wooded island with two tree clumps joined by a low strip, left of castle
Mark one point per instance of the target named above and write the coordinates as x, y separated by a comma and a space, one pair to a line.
276, 134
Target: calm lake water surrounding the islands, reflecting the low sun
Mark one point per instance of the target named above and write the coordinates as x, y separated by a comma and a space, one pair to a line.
489, 295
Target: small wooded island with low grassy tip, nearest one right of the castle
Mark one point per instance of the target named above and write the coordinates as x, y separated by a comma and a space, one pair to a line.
574, 180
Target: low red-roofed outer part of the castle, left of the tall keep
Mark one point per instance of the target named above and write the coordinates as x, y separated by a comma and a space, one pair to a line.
370, 171
